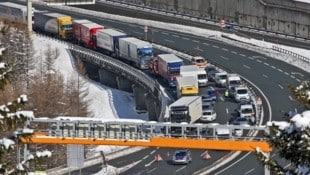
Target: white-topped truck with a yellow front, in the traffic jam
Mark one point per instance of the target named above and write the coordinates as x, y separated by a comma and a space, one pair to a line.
187, 85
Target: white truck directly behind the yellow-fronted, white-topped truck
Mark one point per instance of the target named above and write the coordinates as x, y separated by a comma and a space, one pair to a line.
193, 70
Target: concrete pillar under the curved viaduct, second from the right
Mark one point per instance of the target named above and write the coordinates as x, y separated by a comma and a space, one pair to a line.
139, 95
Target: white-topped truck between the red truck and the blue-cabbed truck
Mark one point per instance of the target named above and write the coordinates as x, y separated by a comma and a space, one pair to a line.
107, 41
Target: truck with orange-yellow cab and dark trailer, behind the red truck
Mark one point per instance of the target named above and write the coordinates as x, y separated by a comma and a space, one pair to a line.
55, 24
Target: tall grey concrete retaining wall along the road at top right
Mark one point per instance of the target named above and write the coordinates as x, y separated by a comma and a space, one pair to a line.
285, 16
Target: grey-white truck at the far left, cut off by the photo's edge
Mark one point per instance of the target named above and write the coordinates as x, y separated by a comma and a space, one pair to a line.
14, 12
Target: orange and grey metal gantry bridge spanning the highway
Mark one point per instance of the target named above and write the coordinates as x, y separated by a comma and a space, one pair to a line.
134, 132
